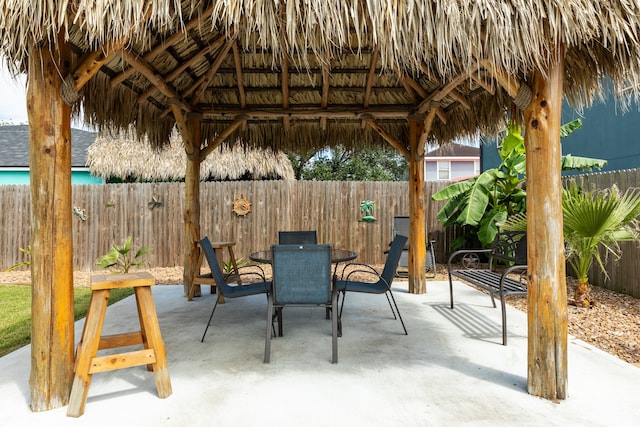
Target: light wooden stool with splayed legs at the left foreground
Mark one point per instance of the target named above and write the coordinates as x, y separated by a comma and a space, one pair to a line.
153, 355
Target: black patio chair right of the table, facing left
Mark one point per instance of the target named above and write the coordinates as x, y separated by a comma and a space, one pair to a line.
382, 283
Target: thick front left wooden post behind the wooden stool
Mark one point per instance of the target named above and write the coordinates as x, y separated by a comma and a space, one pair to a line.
52, 334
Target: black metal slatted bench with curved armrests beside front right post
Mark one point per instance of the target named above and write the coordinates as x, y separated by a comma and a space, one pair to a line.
505, 272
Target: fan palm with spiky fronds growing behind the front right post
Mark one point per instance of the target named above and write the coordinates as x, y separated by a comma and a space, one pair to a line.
594, 222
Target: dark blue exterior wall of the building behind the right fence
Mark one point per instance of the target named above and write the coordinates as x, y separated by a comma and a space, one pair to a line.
605, 134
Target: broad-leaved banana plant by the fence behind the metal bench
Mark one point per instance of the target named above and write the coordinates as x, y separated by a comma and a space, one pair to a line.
479, 204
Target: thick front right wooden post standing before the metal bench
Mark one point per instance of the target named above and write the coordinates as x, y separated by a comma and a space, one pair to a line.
547, 298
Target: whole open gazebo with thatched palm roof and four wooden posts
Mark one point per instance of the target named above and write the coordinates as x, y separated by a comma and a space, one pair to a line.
302, 74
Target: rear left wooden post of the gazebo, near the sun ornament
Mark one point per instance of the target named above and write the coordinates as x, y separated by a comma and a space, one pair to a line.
192, 206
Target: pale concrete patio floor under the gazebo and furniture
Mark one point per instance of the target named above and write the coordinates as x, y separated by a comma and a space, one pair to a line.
451, 370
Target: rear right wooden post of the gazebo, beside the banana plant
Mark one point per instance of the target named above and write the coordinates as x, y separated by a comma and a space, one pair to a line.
417, 243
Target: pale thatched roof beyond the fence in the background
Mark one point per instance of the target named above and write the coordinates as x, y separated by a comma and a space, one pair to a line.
121, 154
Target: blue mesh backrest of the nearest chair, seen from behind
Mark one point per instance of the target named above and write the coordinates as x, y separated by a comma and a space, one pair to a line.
301, 274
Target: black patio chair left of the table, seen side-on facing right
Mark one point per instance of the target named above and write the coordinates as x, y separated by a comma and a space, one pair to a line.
228, 291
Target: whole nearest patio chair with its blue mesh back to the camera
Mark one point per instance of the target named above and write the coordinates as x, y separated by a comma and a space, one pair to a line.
302, 277
